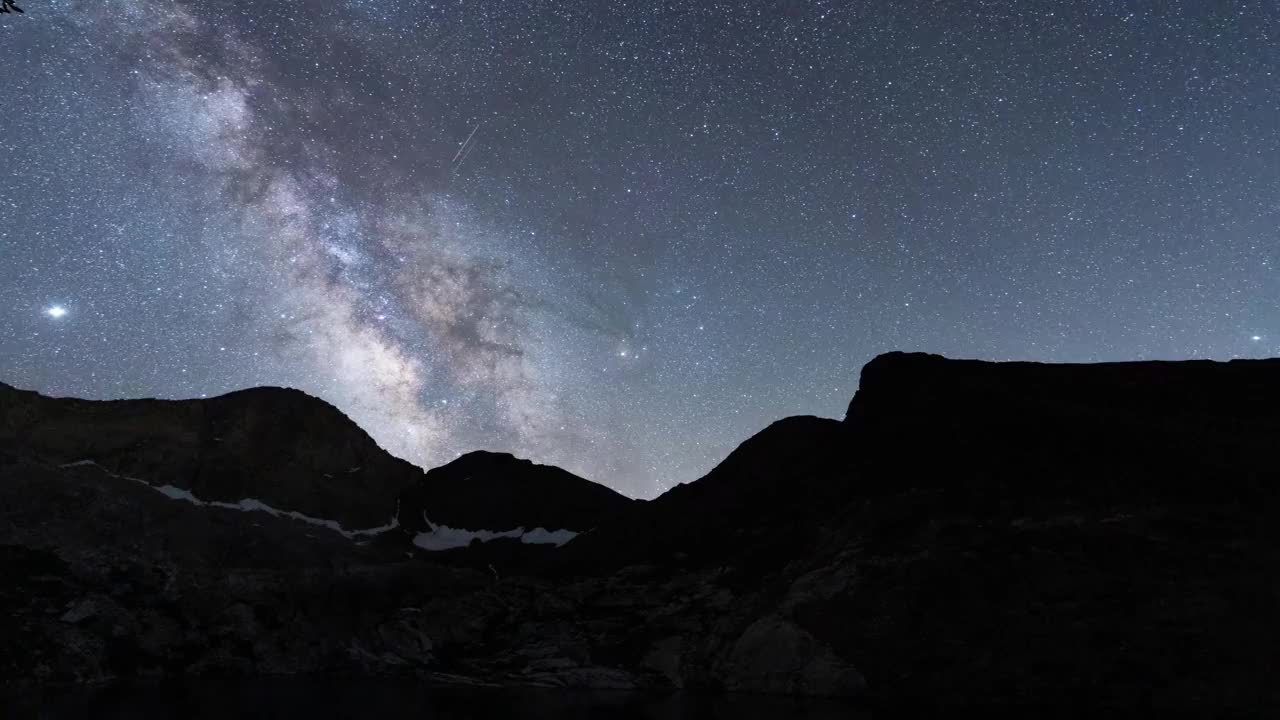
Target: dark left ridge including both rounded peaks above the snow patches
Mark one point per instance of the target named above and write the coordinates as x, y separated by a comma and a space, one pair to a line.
294, 454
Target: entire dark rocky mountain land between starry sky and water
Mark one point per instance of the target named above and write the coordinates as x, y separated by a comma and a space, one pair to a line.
970, 535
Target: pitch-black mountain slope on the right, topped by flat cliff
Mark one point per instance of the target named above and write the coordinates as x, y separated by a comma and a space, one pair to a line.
1098, 535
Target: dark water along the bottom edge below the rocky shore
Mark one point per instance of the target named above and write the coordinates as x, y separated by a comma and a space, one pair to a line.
387, 700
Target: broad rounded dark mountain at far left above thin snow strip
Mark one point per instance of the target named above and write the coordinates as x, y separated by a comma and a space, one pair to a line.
280, 446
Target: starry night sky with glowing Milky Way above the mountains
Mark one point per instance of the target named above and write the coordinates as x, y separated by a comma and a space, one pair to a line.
623, 238
